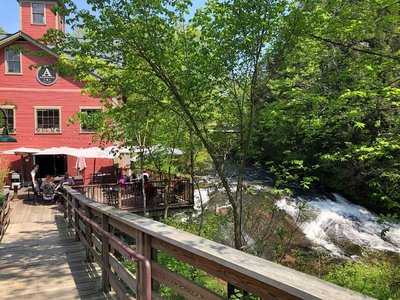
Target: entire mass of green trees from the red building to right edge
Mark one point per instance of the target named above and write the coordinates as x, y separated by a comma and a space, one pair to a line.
306, 89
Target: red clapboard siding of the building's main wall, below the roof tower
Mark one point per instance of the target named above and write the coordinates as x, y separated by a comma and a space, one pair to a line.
25, 92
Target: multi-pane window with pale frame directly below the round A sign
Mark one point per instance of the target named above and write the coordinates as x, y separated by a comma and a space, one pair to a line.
48, 120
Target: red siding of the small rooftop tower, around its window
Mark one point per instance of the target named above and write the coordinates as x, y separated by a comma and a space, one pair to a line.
34, 30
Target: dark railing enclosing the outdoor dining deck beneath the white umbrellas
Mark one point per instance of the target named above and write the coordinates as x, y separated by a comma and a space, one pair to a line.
159, 194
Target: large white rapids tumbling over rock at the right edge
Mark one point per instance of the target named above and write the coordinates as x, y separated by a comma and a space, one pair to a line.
331, 221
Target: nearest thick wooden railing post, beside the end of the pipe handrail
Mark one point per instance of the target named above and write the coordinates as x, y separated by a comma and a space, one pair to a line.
143, 244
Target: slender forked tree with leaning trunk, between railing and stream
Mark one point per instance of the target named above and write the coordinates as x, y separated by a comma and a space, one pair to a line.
204, 71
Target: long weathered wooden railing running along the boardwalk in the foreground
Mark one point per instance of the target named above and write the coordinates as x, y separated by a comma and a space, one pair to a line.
132, 249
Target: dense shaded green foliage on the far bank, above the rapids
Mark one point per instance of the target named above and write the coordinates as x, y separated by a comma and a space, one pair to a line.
331, 112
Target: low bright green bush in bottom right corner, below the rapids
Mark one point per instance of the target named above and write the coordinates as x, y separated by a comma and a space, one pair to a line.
376, 279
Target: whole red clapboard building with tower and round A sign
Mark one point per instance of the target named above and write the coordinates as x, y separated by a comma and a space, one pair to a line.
38, 102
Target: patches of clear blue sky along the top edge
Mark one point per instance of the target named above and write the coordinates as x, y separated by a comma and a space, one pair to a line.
9, 18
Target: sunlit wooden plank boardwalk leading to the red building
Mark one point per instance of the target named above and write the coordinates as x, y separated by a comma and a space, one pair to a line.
40, 259
